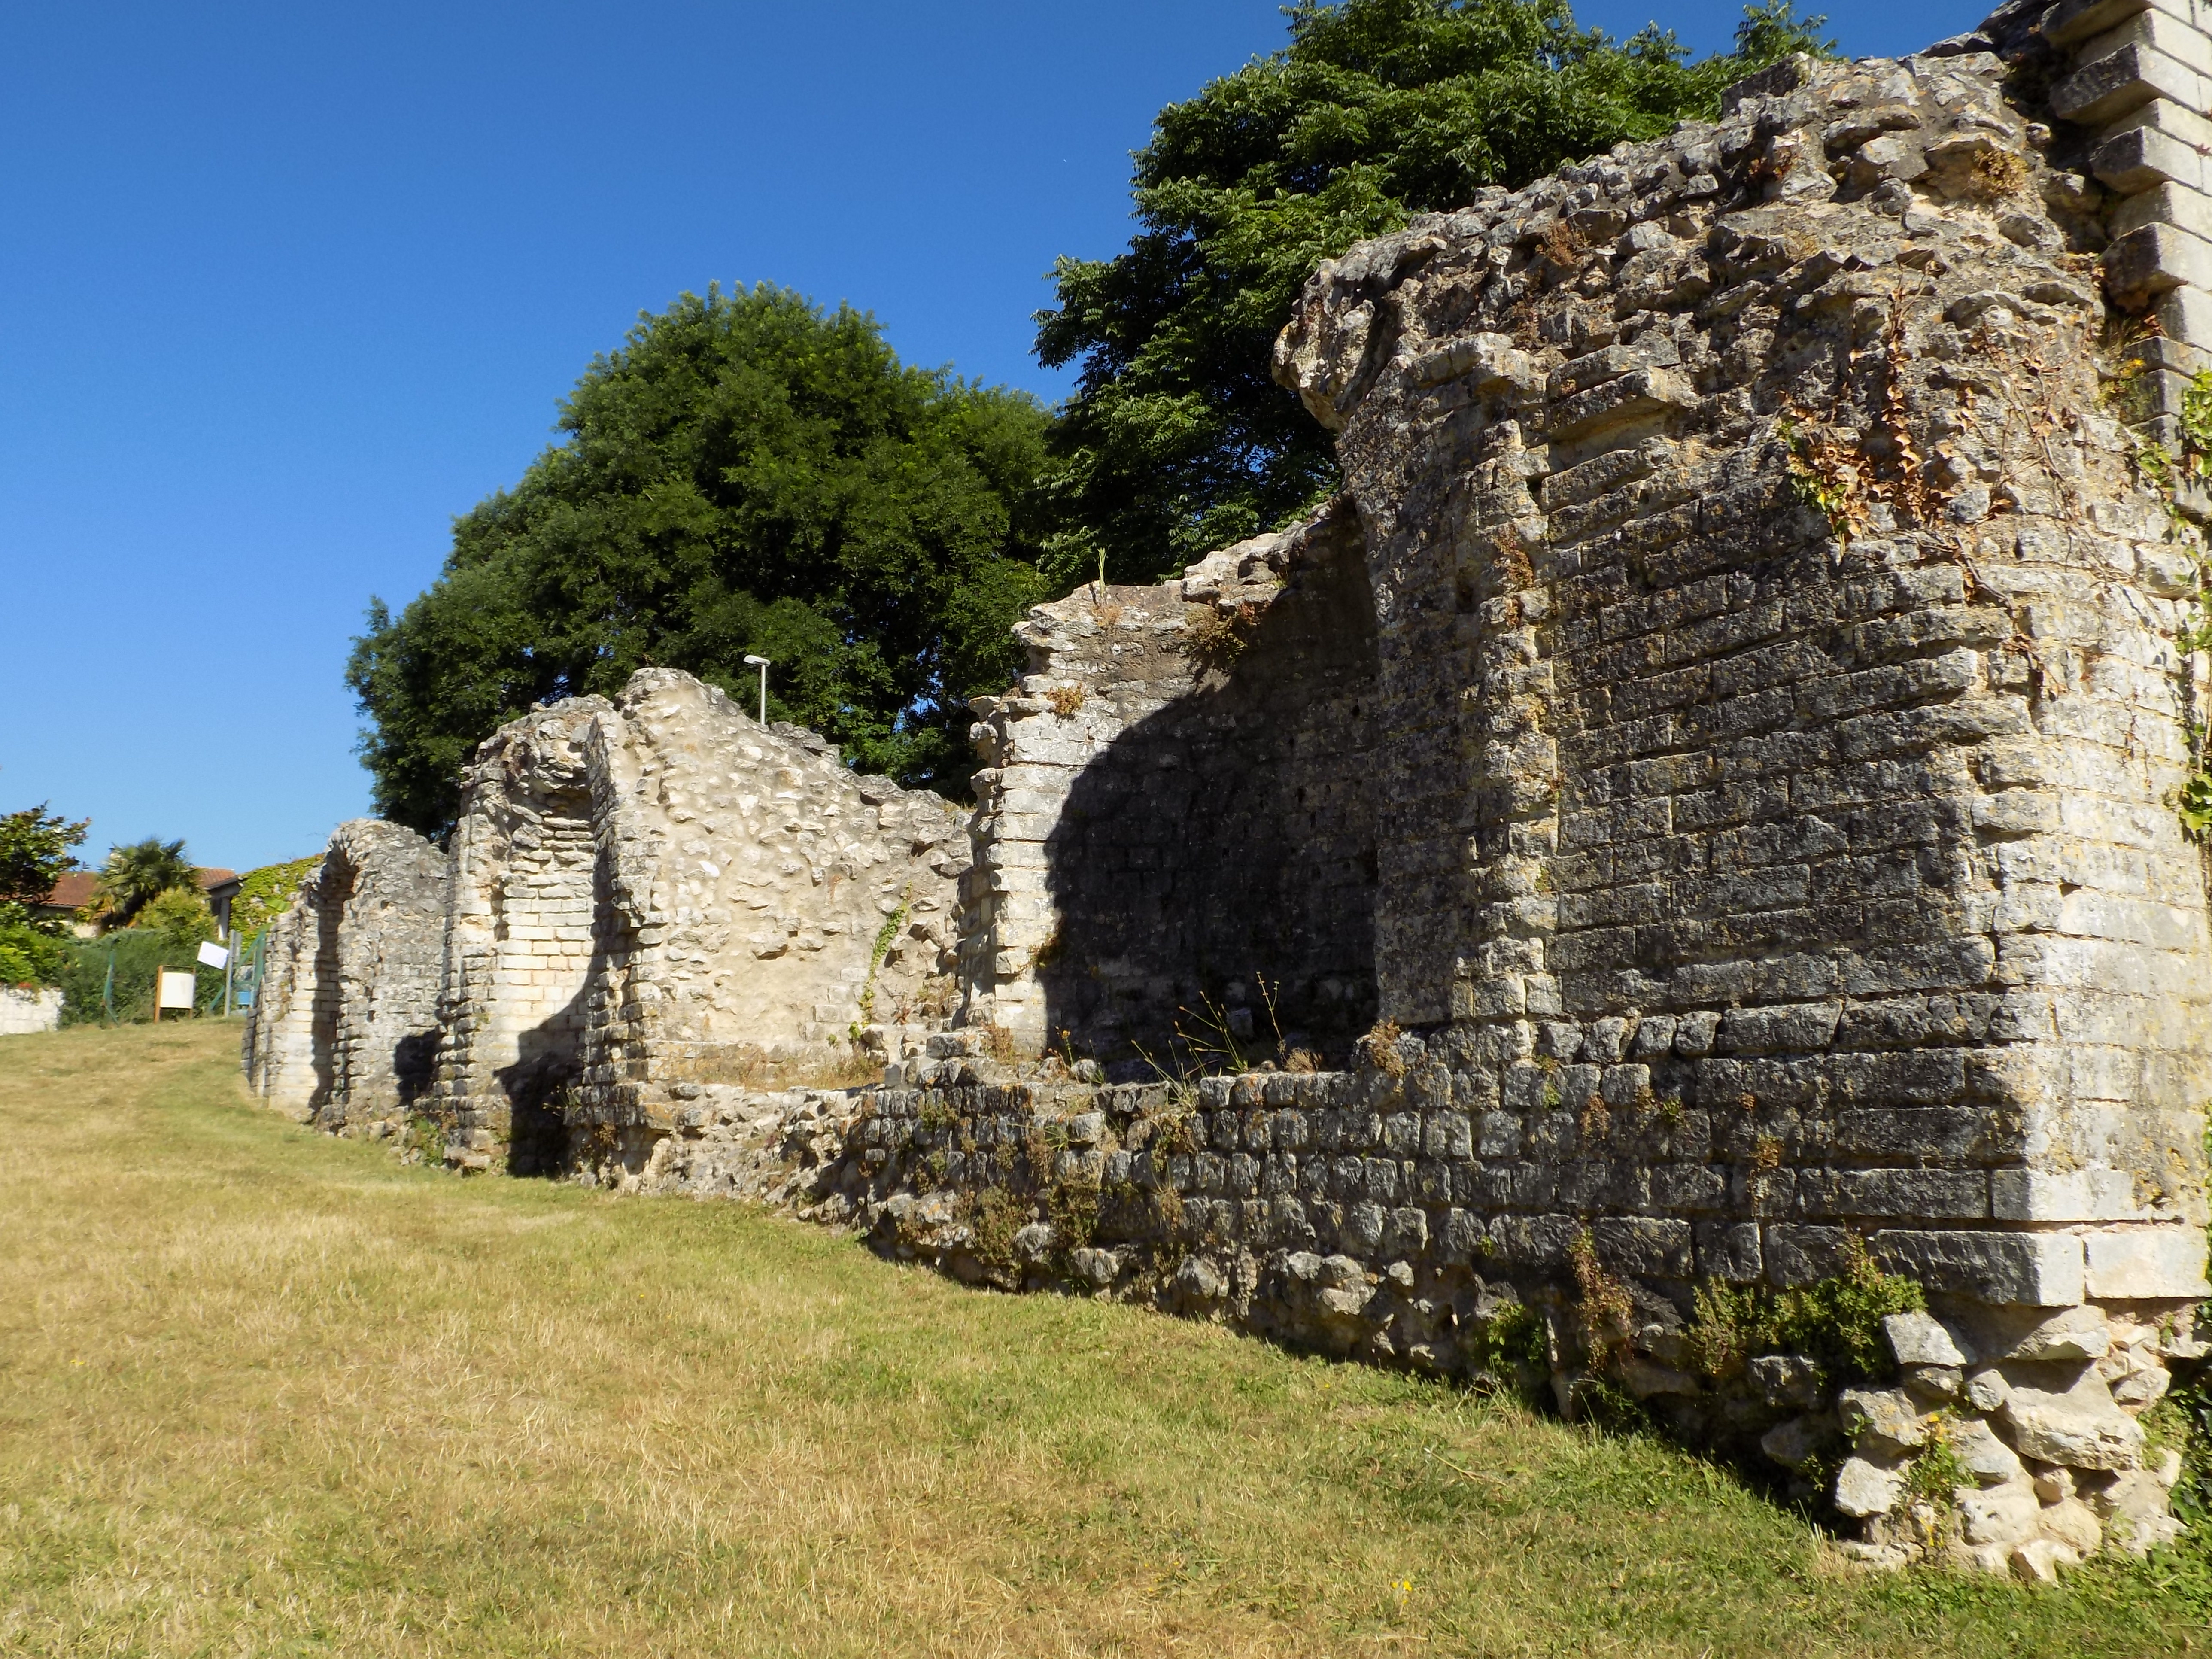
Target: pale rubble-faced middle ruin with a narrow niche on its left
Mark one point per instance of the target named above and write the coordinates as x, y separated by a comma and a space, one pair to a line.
654, 890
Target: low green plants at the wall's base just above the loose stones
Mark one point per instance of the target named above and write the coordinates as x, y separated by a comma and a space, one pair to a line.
1835, 1322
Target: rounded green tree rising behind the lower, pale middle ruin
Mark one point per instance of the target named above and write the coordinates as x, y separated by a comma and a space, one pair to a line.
744, 477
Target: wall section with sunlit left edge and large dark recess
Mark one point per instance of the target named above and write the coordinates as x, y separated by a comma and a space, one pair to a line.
1176, 820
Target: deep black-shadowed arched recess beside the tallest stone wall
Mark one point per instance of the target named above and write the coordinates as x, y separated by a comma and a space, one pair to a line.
1213, 870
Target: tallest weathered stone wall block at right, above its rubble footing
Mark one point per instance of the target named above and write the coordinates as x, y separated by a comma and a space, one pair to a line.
1782, 693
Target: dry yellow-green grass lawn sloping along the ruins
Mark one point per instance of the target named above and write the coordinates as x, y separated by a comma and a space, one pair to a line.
273, 1395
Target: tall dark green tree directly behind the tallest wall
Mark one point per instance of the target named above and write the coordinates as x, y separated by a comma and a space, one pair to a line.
1178, 441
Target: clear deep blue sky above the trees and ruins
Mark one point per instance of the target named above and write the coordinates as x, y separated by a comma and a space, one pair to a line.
286, 289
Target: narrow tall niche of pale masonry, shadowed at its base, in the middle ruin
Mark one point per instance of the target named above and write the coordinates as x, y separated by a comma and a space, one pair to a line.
543, 939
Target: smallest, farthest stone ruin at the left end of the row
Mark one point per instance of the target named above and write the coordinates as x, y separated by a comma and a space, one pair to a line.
344, 1021
